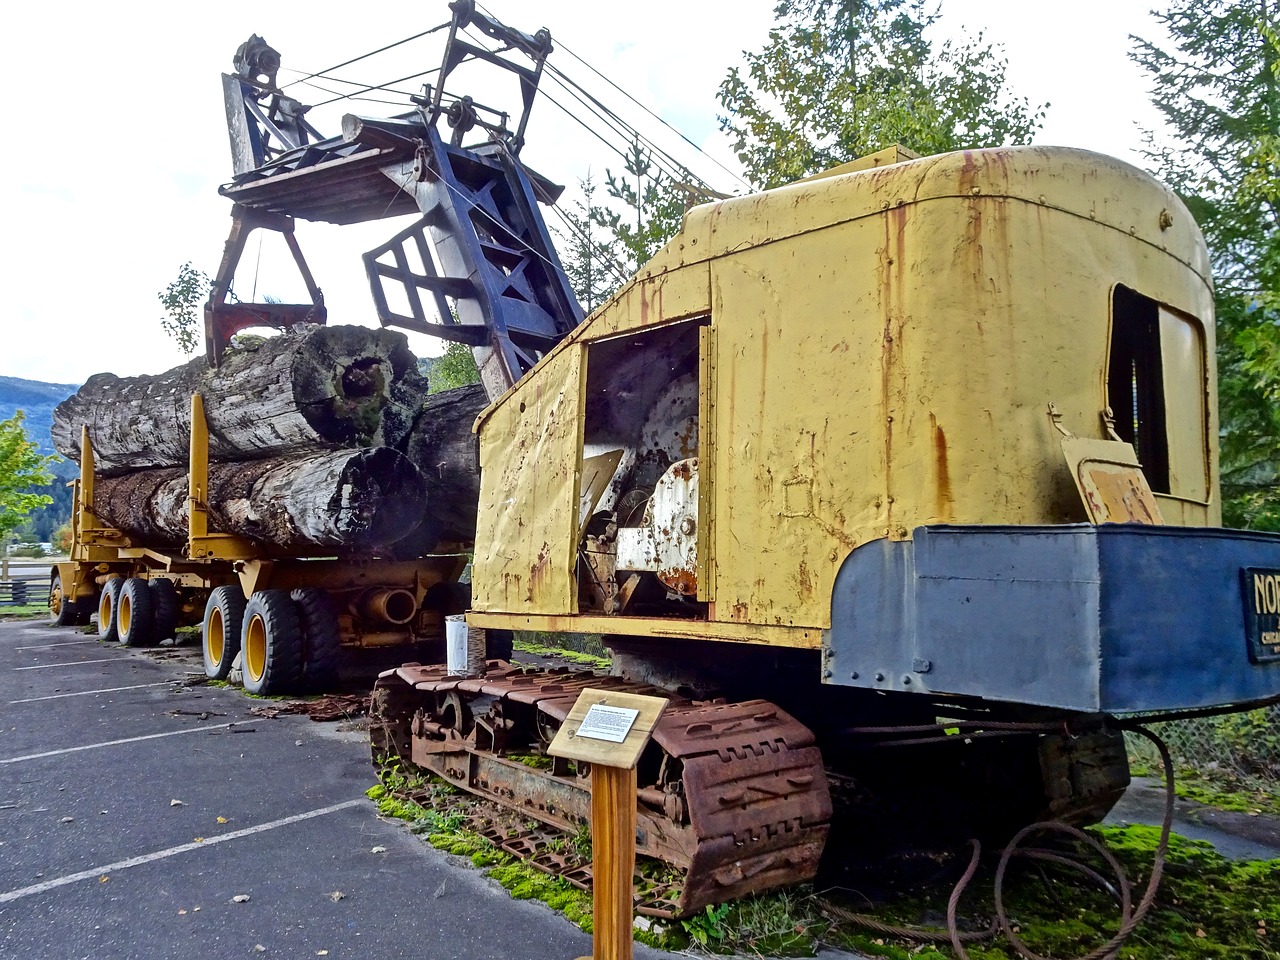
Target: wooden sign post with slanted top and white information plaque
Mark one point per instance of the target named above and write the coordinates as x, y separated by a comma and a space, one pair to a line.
610, 730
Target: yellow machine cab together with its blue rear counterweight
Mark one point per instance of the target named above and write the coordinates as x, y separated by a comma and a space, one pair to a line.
831, 418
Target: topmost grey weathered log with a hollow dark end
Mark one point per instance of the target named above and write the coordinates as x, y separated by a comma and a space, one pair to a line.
309, 390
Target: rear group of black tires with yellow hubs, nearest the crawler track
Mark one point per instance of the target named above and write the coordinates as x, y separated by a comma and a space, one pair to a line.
289, 641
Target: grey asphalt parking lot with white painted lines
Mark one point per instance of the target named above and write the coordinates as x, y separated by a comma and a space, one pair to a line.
147, 820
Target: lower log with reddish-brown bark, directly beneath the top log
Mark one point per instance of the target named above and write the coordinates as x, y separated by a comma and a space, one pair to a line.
351, 502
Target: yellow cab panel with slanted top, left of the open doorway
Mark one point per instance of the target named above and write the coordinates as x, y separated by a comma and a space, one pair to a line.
527, 533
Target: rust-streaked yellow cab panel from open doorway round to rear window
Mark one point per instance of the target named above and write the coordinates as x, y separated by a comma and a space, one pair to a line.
886, 362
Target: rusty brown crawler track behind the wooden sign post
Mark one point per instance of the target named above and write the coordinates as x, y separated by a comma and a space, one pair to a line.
733, 796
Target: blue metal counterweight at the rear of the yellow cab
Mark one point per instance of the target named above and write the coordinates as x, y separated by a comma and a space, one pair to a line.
1110, 619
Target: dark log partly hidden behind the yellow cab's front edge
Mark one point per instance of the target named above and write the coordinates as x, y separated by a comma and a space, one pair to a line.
447, 454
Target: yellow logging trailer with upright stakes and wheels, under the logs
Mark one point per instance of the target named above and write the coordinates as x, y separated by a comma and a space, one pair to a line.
290, 619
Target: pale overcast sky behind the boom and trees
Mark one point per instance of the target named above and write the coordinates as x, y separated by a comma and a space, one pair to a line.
118, 138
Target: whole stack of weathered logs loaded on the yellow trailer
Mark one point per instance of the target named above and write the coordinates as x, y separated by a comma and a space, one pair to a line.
321, 440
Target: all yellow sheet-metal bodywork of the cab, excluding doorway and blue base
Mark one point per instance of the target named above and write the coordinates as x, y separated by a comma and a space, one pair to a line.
884, 345
